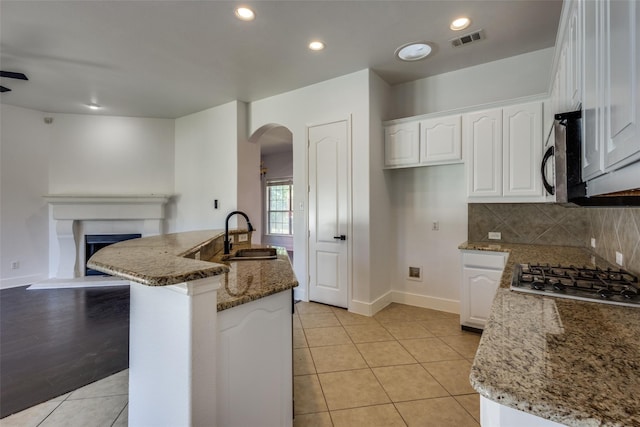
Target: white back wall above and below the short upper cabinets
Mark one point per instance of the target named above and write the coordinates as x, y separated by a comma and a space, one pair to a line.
423, 195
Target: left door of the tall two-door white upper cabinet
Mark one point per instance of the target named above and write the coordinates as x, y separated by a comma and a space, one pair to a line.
483, 143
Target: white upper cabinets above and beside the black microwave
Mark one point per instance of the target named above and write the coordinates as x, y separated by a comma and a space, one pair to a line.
598, 64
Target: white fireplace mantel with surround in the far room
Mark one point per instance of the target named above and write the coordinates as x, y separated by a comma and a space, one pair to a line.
71, 212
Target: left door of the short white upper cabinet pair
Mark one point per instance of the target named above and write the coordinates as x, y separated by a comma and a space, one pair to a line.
401, 144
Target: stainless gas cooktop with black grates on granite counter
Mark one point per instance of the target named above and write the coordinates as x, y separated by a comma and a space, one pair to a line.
611, 286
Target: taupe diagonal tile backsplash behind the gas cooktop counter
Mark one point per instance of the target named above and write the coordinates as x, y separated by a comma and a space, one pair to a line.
615, 229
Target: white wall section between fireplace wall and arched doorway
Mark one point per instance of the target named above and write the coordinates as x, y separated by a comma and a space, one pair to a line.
206, 168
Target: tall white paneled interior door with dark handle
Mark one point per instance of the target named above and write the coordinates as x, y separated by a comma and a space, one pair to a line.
329, 212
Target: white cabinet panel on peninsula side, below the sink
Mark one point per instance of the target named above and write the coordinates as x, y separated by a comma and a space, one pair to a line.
254, 366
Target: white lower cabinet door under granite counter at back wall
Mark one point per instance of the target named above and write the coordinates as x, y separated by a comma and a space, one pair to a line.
479, 288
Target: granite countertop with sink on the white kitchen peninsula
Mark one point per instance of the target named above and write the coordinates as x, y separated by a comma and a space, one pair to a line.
169, 259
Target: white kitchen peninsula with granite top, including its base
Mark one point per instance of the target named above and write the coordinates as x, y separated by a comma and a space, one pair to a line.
194, 365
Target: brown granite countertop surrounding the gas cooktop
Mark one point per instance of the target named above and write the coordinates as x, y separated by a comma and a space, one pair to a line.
573, 362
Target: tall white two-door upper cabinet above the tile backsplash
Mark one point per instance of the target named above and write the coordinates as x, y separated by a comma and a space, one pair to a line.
504, 151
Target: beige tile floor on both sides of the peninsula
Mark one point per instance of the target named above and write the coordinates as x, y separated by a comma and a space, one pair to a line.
406, 366
